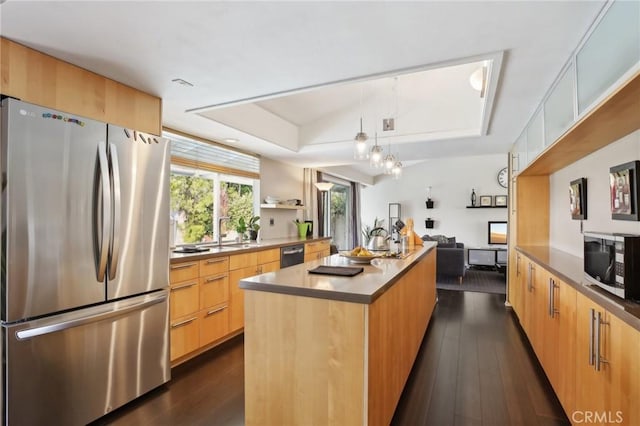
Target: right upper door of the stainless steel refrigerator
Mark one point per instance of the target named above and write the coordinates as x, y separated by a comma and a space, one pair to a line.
139, 259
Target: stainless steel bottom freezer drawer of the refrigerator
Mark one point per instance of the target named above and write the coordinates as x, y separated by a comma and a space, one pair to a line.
73, 368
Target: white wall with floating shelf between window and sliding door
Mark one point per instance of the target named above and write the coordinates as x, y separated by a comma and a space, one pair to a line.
285, 182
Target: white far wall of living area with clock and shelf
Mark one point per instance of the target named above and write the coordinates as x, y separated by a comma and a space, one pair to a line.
451, 181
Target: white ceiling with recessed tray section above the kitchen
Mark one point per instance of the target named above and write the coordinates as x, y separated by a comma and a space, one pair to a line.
244, 57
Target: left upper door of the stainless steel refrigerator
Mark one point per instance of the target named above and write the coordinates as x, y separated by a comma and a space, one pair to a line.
51, 205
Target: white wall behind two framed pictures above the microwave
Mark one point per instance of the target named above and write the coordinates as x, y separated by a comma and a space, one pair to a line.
565, 232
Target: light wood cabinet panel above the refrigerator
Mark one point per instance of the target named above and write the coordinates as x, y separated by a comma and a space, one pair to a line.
41, 79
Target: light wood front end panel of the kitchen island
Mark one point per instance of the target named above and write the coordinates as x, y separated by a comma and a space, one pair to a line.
304, 360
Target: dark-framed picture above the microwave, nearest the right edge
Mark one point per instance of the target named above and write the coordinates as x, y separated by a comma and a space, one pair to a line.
623, 186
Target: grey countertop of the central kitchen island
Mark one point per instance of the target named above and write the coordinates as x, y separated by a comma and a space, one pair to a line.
362, 288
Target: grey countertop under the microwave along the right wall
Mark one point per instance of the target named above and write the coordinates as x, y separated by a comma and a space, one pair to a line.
569, 268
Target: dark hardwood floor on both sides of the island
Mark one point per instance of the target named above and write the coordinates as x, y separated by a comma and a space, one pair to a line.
475, 367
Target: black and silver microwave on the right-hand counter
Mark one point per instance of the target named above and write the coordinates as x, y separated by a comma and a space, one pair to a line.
612, 262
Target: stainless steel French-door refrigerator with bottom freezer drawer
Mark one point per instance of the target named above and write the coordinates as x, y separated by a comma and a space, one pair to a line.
85, 253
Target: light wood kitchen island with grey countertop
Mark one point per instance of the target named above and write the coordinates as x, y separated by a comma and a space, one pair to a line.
323, 349
